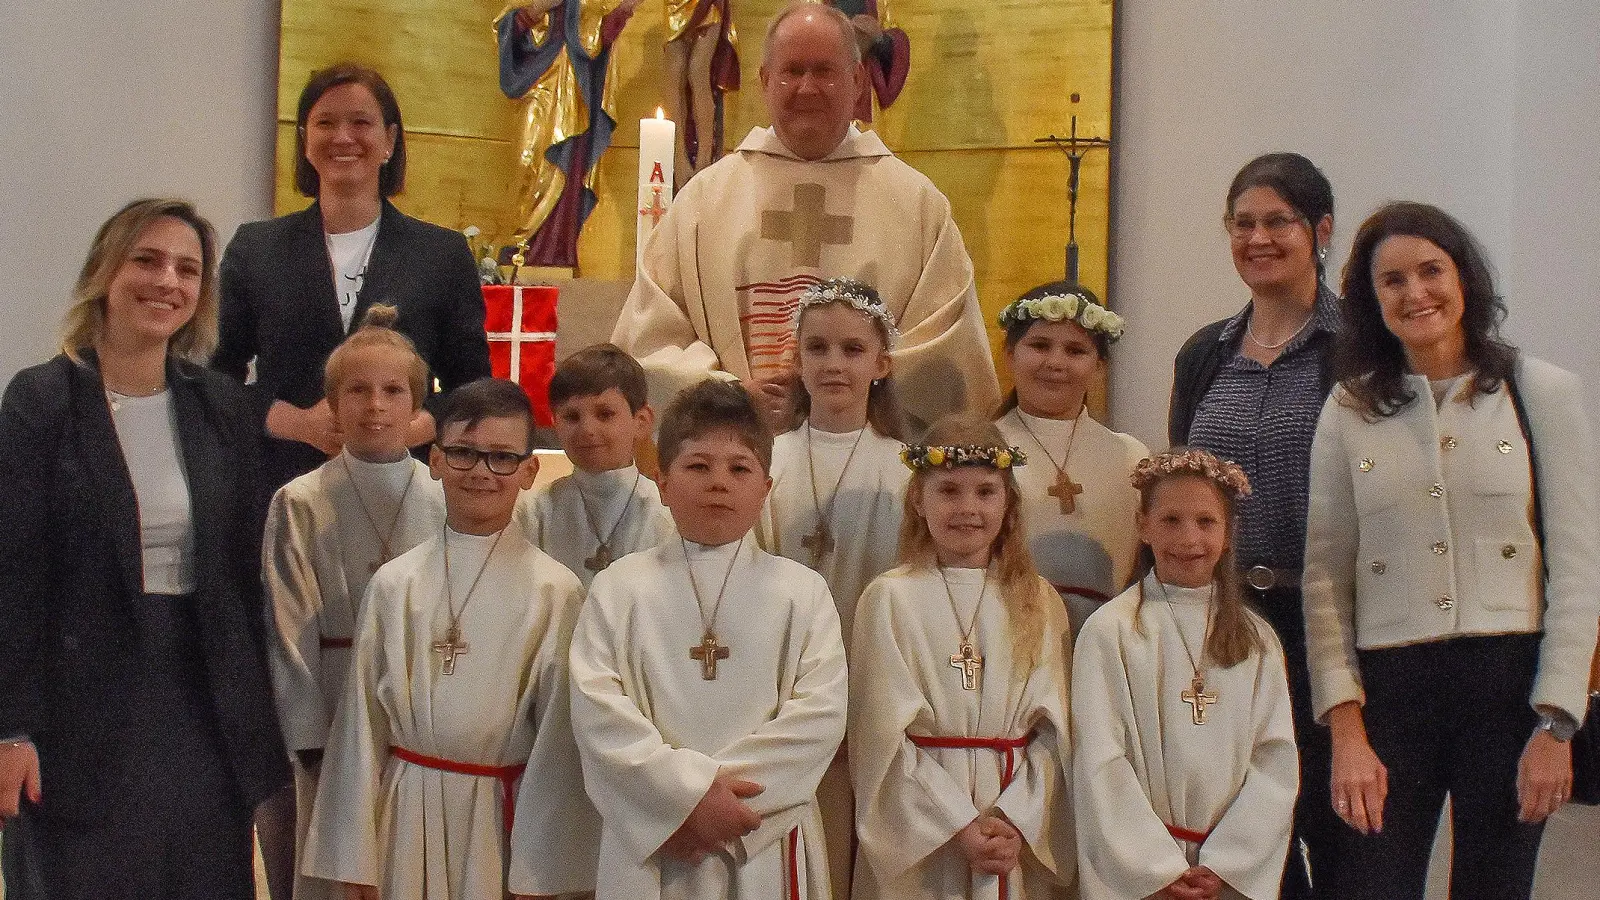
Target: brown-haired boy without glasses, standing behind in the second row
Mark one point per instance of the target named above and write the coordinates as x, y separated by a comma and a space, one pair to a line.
607, 508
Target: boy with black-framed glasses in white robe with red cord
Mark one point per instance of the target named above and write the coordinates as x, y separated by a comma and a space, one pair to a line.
460, 689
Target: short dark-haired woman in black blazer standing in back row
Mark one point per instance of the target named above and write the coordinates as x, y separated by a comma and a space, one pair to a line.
294, 286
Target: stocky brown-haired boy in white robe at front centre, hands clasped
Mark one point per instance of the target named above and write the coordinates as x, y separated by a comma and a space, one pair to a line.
710, 685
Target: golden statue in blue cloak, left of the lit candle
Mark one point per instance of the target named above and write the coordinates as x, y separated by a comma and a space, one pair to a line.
556, 58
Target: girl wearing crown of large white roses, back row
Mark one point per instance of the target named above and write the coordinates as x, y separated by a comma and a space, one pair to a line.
1078, 504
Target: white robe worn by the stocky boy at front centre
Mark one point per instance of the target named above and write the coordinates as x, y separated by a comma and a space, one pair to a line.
654, 731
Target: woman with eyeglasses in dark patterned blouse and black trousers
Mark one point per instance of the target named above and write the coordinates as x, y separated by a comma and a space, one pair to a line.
1249, 390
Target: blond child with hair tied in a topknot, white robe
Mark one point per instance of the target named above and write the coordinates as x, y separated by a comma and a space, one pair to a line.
329, 532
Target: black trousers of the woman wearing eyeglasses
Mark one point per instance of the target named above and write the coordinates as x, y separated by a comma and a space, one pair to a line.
1316, 826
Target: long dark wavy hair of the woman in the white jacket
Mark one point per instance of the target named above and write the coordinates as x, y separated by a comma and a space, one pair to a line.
1369, 361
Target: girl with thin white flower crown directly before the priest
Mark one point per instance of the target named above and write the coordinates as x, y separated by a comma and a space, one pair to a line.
838, 480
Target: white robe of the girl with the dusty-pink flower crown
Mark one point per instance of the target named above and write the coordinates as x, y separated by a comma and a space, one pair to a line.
1143, 765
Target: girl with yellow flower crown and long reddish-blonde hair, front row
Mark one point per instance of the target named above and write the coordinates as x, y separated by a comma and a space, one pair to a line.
958, 736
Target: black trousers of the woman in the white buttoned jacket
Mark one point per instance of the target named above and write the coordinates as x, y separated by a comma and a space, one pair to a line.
1447, 718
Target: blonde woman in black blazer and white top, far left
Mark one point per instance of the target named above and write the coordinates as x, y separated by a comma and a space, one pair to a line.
135, 701
